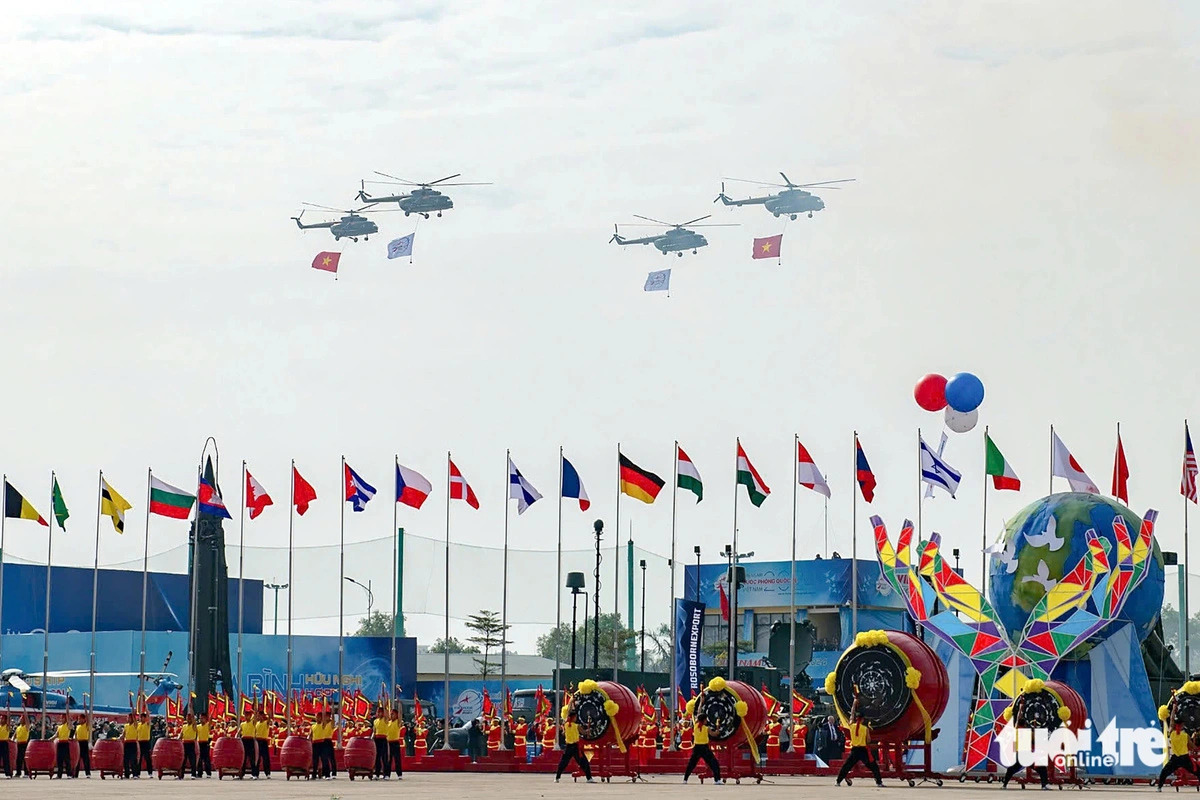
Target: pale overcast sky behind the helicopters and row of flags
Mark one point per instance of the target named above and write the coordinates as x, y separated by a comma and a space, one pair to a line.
1024, 209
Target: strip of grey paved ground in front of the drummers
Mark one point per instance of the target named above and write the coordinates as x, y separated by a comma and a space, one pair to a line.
442, 786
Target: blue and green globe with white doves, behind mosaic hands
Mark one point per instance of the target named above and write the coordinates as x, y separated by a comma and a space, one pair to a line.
1047, 540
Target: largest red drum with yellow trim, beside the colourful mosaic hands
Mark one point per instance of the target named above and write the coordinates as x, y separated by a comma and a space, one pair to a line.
892, 671
